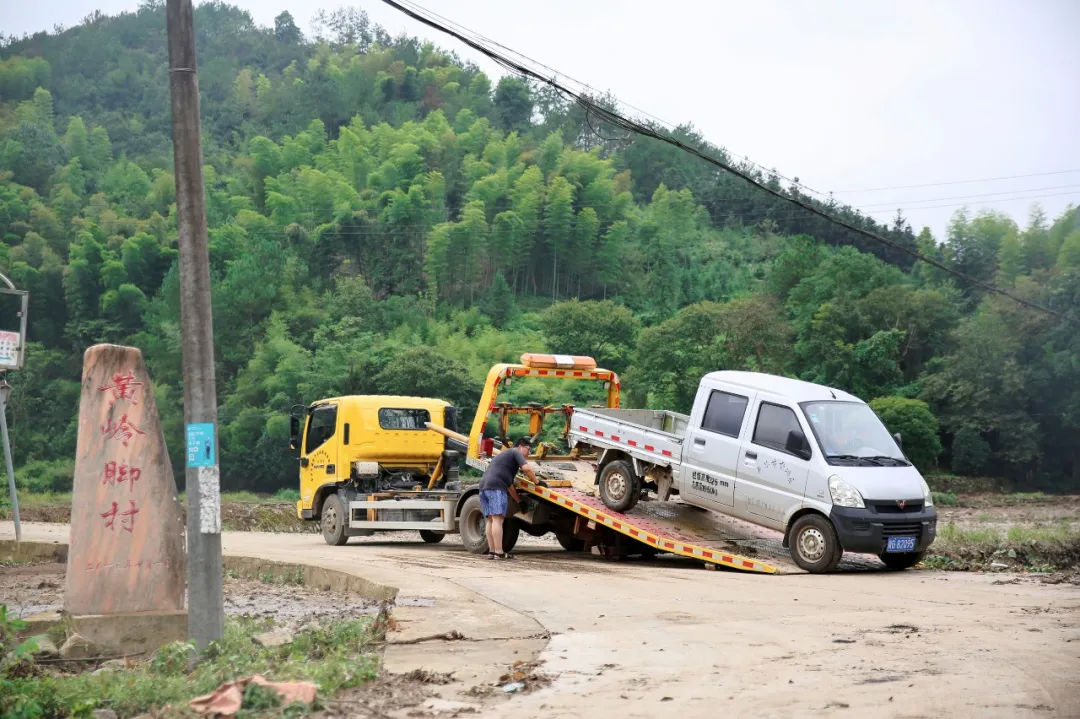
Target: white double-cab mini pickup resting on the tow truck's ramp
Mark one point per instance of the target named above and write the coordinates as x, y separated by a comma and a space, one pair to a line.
814, 463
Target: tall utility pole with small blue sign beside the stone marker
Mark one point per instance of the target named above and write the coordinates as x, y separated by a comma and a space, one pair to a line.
206, 612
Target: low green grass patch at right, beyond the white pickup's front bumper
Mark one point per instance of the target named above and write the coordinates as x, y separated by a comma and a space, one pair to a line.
1035, 548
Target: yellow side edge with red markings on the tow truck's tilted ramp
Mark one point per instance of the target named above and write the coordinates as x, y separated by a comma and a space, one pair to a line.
647, 531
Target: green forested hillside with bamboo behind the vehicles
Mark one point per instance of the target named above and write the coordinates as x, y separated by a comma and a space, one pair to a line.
386, 220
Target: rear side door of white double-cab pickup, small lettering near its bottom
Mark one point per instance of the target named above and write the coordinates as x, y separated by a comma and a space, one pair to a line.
712, 462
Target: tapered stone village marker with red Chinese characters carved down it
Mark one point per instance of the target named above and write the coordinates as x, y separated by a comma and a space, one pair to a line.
127, 557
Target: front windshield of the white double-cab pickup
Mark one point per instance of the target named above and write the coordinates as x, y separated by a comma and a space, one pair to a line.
850, 433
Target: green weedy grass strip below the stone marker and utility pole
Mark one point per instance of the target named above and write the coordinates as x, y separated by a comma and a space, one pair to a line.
333, 656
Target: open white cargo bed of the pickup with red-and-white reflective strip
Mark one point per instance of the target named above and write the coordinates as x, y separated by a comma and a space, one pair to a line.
653, 436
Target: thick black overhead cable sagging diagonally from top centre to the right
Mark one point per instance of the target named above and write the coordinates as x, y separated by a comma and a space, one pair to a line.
616, 119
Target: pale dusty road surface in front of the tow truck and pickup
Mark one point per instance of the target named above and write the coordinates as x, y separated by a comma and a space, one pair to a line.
668, 639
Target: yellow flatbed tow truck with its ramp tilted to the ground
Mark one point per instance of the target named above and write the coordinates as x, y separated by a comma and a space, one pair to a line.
388, 464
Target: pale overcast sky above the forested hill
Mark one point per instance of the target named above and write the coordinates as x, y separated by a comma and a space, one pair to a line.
847, 96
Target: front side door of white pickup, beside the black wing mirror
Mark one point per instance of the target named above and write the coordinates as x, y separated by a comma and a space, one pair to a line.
773, 477
